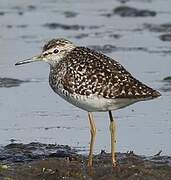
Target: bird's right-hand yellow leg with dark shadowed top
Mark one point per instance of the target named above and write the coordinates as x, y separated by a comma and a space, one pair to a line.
113, 140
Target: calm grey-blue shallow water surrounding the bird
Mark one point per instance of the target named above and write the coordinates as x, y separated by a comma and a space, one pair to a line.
31, 111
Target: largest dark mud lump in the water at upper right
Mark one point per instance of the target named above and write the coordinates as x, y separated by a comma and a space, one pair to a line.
125, 11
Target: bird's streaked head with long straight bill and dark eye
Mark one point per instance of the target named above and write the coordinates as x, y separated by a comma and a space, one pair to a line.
53, 52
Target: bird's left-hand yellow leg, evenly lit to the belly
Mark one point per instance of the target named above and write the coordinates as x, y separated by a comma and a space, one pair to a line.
93, 134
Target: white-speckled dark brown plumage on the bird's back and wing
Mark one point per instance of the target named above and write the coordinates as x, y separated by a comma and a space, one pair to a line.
86, 72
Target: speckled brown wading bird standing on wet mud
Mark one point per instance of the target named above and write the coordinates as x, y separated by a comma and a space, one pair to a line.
91, 81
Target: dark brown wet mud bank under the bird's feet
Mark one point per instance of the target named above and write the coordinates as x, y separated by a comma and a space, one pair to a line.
51, 161
